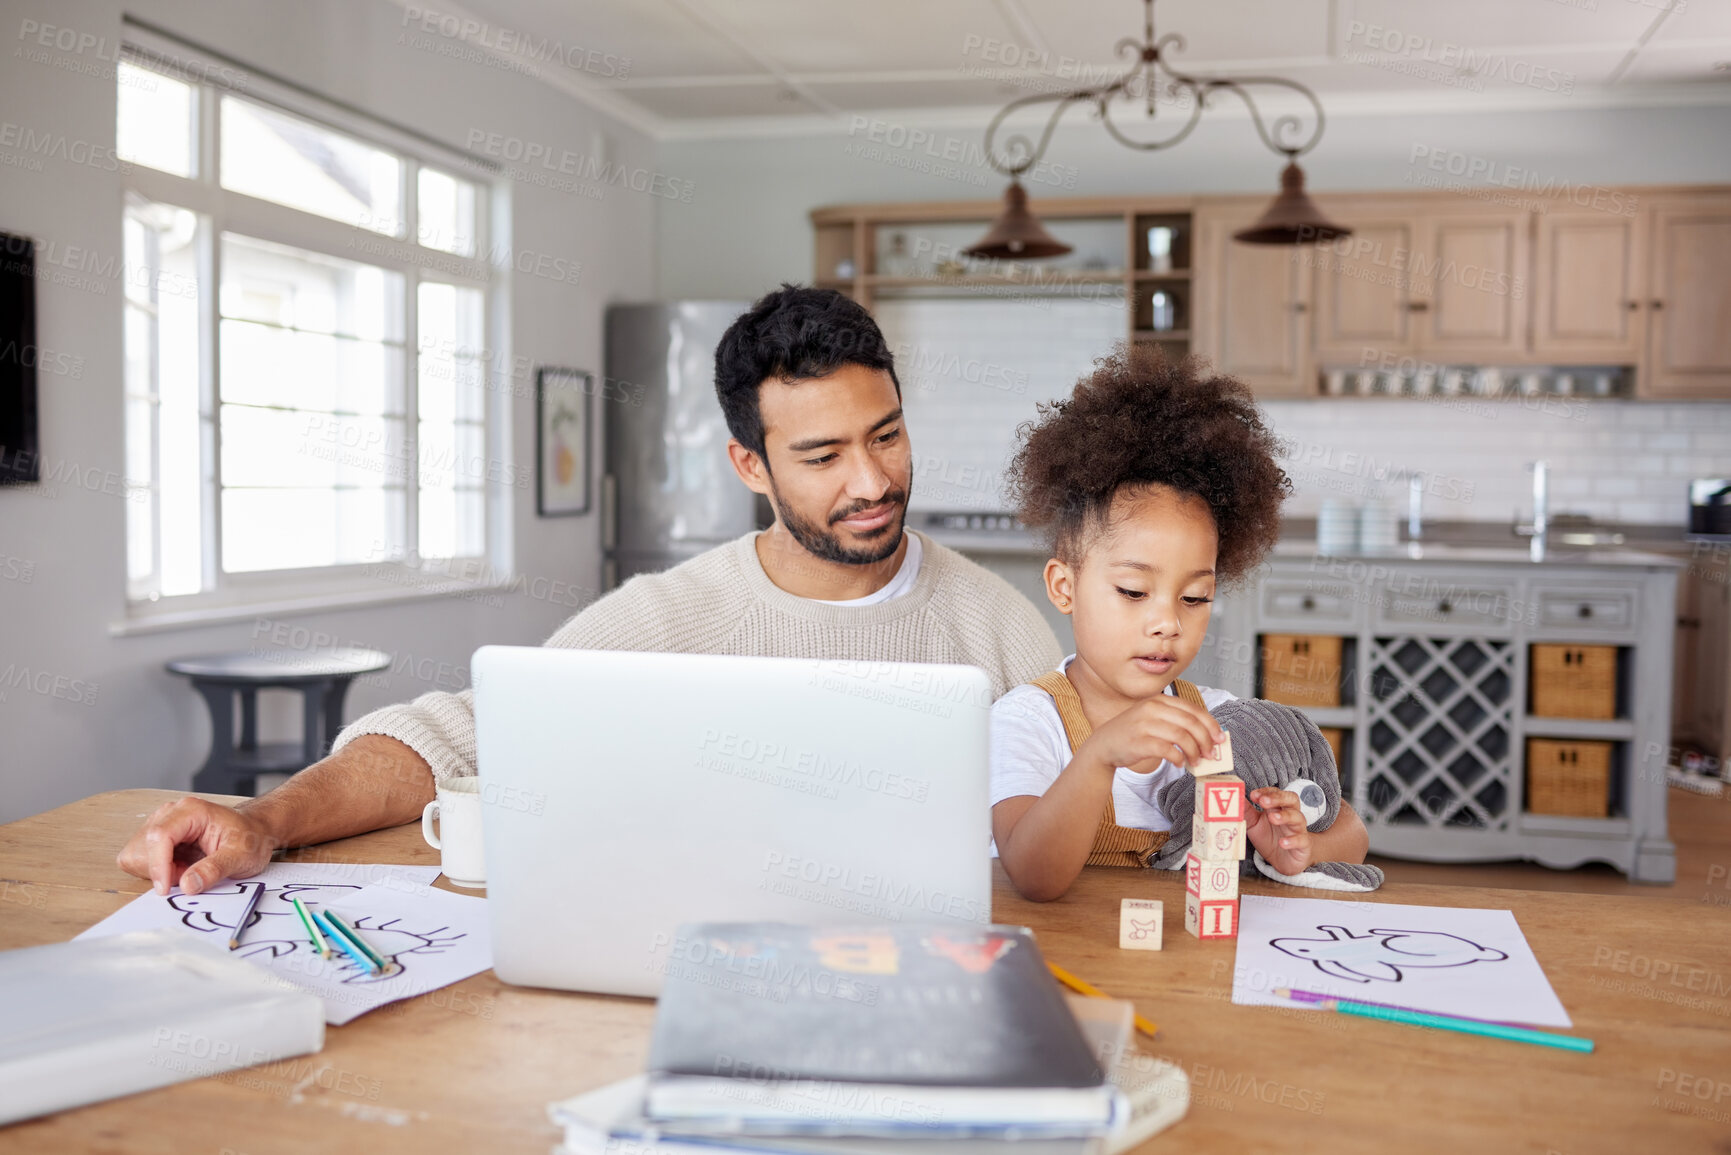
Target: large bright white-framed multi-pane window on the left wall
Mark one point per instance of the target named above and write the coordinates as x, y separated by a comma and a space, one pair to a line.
306, 330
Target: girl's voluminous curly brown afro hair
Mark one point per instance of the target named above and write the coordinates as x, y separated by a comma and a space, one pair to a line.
1142, 420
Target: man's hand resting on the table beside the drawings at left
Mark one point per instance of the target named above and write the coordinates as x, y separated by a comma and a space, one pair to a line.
196, 844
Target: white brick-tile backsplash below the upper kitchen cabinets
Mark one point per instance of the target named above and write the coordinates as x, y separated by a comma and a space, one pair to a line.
974, 370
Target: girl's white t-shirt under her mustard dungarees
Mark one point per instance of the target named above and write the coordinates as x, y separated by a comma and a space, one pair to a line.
1029, 751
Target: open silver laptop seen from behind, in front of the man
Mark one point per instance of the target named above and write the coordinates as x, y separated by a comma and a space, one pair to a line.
627, 794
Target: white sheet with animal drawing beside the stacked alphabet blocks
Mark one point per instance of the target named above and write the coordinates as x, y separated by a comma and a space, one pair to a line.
1474, 964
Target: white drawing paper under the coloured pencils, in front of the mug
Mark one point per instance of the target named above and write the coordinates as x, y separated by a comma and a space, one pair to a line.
437, 938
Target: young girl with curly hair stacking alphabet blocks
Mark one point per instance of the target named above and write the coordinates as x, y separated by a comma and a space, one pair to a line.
1155, 484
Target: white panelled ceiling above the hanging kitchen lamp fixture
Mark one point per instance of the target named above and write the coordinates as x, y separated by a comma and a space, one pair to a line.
709, 68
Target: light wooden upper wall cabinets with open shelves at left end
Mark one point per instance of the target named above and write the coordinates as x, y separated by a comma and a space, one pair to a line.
1642, 281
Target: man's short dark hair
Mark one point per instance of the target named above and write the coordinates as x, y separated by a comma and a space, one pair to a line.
792, 335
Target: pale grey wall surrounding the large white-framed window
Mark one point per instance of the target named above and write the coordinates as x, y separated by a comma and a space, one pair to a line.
145, 726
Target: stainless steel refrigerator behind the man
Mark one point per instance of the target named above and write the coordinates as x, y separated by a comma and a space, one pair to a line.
667, 491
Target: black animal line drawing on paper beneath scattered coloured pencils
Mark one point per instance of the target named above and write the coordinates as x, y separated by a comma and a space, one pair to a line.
276, 929
